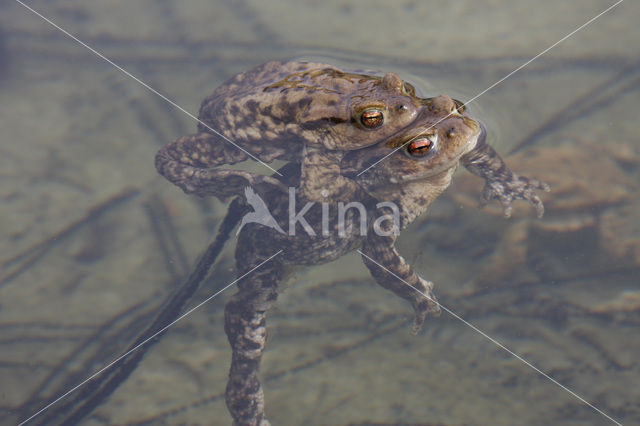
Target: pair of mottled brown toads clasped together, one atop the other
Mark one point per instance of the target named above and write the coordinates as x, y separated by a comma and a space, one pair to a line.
365, 156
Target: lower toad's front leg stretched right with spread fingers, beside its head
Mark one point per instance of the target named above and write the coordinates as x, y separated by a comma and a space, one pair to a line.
500, 182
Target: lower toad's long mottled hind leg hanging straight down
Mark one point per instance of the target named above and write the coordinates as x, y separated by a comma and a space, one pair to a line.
245, 326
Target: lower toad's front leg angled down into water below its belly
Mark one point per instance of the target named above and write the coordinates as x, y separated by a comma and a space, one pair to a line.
392, 272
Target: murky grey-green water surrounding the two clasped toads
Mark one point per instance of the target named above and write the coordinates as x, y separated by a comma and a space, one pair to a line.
93, 240
